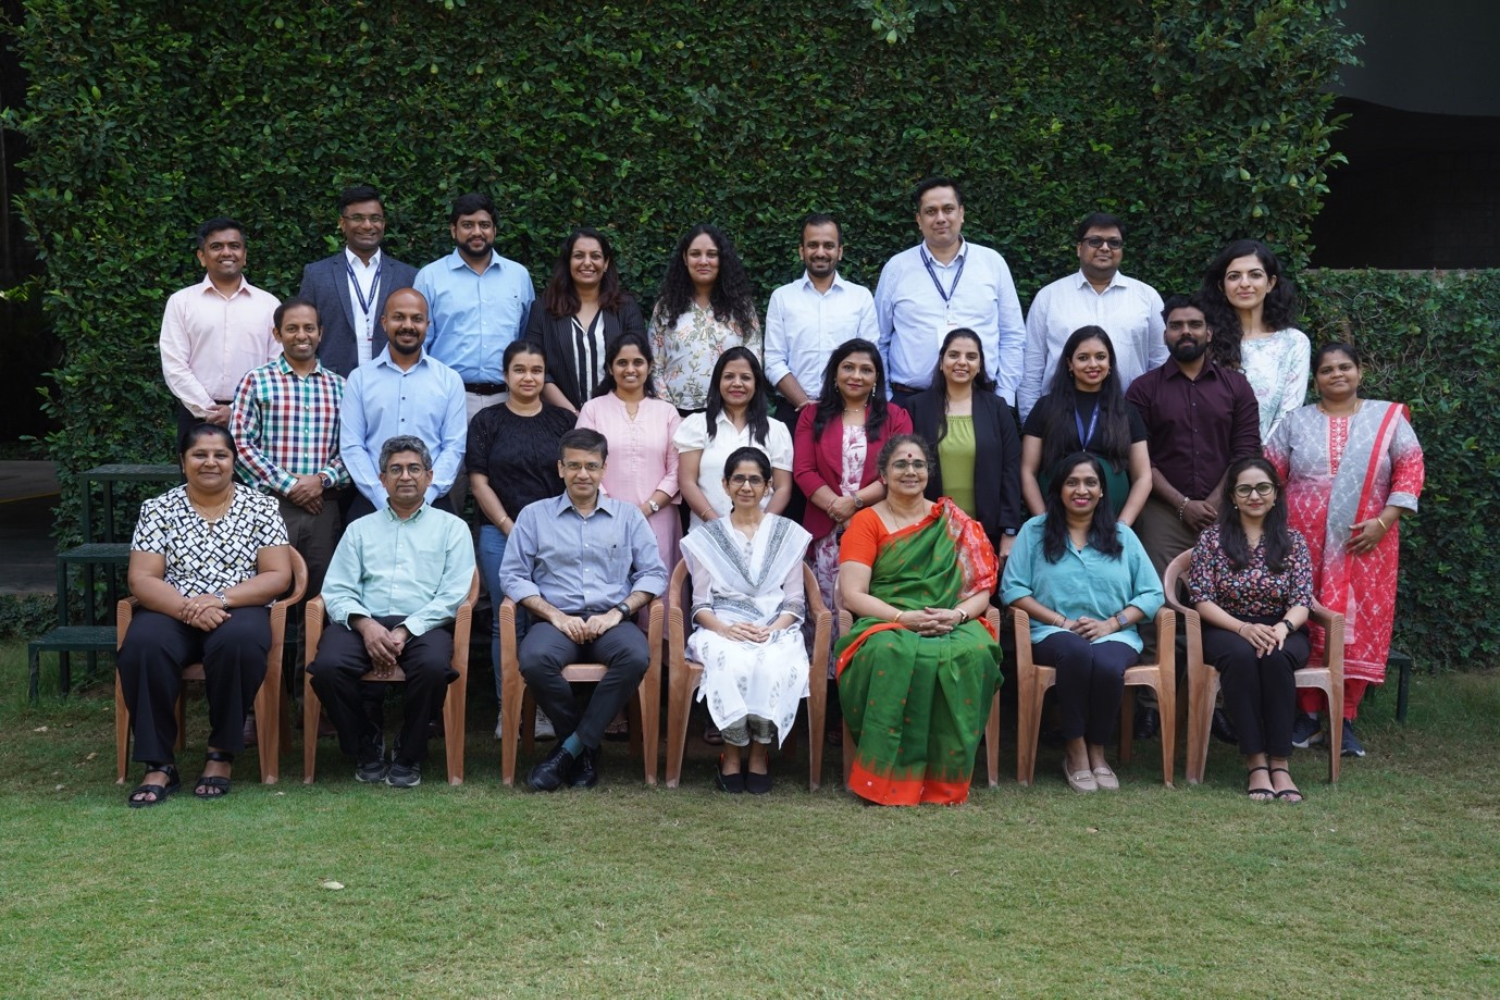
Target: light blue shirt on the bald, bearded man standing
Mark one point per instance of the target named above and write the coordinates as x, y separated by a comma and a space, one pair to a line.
383, 401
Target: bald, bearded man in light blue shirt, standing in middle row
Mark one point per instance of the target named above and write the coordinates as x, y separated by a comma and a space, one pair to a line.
403, 392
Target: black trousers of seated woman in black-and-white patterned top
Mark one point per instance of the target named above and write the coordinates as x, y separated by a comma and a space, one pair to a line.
152, 660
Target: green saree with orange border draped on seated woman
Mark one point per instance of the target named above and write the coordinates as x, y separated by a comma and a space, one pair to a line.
917, 705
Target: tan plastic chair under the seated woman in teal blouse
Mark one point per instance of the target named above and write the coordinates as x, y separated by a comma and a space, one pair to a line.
1033, 681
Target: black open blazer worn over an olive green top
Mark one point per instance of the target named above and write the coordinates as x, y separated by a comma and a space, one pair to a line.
997, 458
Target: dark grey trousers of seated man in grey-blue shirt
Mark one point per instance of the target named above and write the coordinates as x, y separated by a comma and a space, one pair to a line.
544, 654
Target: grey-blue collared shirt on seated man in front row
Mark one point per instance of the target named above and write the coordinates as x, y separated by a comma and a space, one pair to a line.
581, 566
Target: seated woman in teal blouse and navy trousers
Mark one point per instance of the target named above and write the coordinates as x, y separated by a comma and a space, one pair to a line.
1088, 585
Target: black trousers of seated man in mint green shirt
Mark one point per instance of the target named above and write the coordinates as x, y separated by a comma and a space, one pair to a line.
343, 660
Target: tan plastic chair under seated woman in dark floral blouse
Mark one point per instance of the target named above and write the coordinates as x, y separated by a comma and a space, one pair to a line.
1204, 683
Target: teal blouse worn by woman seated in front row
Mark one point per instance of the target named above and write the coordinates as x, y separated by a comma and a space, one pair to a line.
1082, 584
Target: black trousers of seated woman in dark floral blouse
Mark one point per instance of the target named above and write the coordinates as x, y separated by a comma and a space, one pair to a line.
1261, 693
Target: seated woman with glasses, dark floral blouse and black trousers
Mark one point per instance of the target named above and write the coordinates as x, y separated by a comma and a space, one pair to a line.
1252, 581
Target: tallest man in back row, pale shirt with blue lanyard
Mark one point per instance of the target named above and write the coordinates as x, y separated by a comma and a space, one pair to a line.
943, 284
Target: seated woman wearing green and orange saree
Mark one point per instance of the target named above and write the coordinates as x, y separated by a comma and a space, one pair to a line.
919, 669
